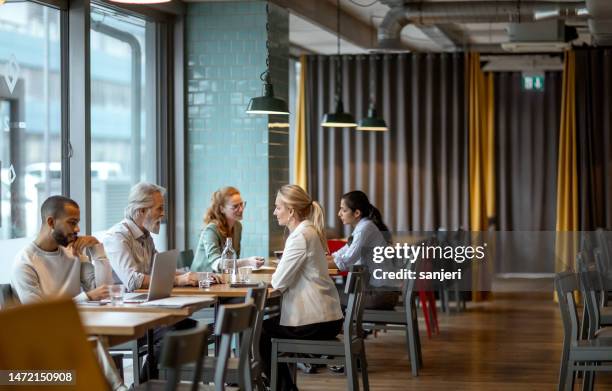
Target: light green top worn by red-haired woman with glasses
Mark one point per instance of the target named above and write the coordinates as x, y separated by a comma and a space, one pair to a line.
207, 257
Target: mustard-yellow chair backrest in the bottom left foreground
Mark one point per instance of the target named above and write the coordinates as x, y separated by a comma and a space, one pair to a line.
49, 336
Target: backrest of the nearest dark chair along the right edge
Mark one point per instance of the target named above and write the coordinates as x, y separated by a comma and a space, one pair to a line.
566, 283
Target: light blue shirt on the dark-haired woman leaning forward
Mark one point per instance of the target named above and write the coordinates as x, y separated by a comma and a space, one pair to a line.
366, 236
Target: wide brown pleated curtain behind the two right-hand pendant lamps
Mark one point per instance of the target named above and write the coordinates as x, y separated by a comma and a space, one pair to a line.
415, 173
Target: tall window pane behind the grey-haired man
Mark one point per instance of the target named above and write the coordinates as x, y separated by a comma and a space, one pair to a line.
123, 101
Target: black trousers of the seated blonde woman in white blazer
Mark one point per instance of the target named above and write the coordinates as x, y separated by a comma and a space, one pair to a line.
272, 329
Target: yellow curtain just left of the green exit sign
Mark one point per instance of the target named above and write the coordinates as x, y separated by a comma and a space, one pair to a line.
481, 111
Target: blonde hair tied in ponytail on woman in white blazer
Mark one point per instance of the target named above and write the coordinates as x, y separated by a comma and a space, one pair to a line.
297, 199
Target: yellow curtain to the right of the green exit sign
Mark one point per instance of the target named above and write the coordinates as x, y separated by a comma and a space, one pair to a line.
567, 172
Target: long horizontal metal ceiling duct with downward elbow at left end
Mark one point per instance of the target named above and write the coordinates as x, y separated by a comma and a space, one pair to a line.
402, 13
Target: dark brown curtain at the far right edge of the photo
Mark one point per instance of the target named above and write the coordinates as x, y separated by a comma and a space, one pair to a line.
594, 134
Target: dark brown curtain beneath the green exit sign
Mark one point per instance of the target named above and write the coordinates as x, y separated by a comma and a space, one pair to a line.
526, 150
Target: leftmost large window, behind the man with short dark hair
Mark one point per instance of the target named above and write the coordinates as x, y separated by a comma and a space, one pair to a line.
30, 114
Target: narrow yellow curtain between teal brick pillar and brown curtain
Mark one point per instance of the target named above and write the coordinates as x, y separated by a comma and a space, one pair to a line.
300, 130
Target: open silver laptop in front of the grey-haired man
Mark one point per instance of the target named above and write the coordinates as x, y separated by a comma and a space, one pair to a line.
162, 278
